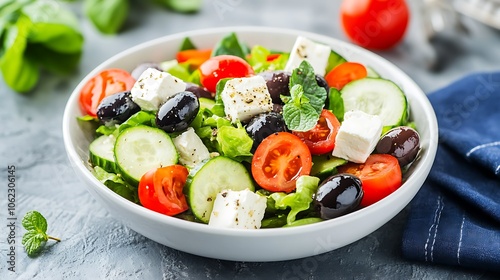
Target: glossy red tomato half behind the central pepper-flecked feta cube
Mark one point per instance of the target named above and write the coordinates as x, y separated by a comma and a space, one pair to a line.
223, 66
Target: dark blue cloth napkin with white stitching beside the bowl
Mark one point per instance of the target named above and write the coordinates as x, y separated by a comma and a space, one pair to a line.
455, 217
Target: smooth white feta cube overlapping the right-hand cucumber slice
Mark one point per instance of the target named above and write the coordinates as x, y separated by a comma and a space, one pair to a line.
357, 137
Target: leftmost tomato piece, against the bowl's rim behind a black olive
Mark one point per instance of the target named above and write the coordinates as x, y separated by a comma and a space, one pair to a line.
106, 83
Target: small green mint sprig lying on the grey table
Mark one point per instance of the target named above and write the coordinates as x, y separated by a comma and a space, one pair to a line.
36, 236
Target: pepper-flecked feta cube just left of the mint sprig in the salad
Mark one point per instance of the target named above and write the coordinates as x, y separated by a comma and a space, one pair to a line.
244, 98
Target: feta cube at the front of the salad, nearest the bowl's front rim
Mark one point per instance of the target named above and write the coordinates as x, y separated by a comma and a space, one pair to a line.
238, 209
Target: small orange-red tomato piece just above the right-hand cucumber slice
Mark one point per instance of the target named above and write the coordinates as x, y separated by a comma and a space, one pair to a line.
339, 76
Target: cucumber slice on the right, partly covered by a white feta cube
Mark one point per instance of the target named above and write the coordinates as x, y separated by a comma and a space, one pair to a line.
376, 96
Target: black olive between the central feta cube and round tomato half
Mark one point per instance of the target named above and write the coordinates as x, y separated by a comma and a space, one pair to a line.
264, 125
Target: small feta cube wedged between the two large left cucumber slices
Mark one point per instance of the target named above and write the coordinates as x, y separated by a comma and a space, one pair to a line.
190, 148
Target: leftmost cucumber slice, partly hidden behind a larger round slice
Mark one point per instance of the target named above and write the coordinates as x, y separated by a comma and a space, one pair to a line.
102, 154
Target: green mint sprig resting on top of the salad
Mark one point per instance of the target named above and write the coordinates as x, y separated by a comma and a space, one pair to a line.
303, 108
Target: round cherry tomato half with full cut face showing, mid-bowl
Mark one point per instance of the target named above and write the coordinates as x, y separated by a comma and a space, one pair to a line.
280, 159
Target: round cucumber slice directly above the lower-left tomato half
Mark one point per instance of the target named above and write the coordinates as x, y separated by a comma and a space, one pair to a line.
141, 148
